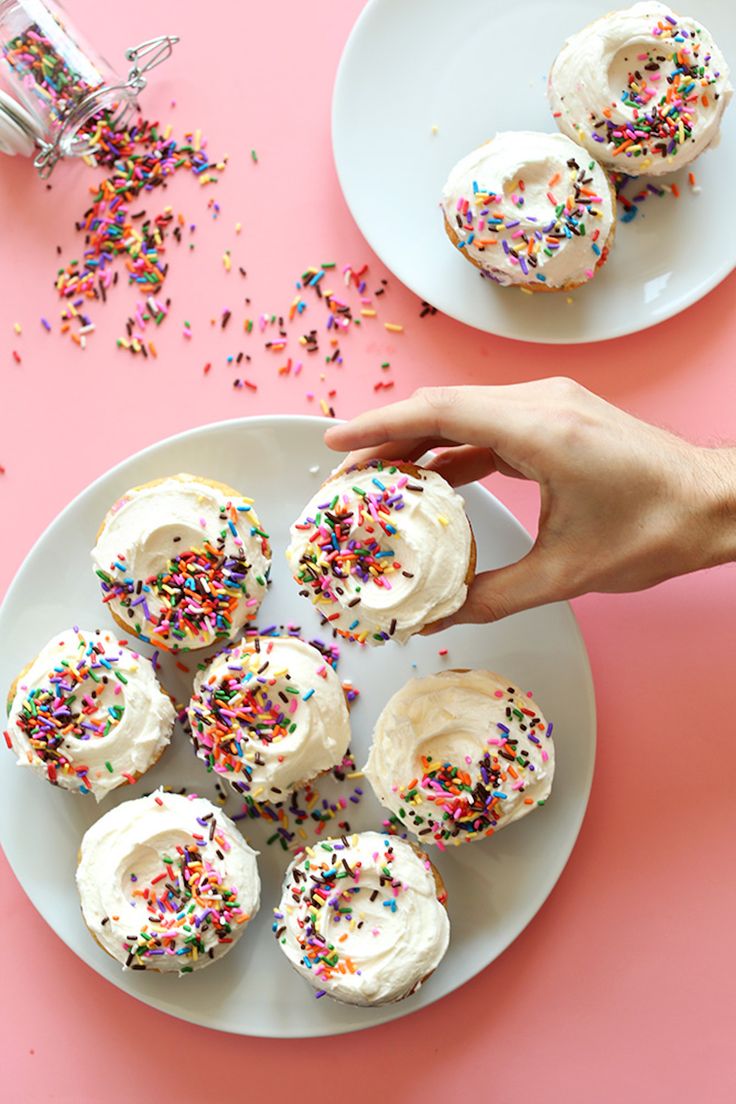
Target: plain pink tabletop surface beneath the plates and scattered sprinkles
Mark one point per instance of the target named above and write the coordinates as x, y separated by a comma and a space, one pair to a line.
624, 982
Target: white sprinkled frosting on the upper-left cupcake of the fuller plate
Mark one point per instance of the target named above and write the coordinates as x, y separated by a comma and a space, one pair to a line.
183, 564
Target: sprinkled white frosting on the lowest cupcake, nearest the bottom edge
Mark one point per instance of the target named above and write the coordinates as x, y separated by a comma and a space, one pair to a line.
360, 919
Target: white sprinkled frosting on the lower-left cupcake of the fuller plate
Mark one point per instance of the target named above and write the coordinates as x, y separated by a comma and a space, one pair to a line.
167, 883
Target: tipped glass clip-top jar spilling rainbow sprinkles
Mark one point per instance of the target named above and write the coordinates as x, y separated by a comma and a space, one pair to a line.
59, 84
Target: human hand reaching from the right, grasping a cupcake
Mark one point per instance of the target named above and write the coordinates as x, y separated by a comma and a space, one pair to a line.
624, 504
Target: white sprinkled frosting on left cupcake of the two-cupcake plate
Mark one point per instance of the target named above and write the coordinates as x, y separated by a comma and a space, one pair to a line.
531, 209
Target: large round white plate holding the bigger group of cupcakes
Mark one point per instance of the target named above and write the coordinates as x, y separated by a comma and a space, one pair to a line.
495, 887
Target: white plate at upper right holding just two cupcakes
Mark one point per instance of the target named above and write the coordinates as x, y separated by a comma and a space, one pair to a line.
472, 68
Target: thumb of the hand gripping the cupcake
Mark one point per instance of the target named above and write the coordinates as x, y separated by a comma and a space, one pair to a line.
530, 582
